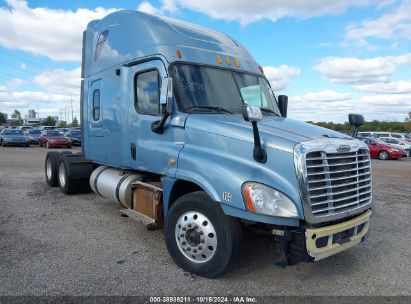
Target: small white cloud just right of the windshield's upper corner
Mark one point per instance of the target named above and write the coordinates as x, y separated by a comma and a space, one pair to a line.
279, 77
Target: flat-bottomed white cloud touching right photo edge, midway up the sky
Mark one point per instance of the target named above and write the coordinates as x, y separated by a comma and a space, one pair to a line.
360, 71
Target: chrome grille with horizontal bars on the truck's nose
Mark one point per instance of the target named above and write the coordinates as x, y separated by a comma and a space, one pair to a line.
338, 181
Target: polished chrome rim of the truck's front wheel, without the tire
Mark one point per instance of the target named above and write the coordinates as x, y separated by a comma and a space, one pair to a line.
196, 237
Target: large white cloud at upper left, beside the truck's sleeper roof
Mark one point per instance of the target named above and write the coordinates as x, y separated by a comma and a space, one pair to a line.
54, 33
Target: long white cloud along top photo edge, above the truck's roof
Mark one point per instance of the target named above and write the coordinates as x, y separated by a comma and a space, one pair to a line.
247, 11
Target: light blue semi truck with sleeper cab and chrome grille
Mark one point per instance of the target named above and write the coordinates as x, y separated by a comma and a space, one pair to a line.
181, 127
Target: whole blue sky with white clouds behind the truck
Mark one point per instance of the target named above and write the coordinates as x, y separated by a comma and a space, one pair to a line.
330, 57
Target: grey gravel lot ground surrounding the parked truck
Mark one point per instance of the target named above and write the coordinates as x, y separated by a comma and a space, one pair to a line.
52, 244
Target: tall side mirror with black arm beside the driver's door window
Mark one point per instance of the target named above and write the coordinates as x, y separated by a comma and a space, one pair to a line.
166, 101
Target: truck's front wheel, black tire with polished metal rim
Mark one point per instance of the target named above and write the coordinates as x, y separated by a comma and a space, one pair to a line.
200, 238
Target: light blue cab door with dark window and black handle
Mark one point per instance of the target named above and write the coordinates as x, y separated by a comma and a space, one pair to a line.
148, 151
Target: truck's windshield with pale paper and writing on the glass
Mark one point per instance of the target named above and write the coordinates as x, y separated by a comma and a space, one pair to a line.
202, 89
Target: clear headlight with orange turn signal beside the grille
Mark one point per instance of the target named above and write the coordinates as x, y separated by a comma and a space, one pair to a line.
262, 199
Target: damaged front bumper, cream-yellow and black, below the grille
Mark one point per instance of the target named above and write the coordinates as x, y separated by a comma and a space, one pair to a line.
314, 244
